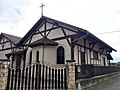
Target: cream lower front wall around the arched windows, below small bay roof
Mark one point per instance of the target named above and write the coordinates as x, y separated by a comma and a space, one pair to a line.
50, 53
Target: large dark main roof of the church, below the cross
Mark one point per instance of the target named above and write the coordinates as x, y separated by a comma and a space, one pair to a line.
64, 25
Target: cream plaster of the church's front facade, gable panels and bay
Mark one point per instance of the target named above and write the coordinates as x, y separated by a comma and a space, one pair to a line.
50, 51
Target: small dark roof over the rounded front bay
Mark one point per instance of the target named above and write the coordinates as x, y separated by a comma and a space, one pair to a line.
43, 41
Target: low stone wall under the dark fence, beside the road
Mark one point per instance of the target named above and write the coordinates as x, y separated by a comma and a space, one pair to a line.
85, 83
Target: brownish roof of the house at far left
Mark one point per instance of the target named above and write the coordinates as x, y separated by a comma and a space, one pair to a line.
13, 39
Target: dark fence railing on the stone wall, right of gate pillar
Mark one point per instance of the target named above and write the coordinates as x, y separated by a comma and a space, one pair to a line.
87, 71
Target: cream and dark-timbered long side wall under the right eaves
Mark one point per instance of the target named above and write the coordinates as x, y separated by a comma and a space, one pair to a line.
89, 57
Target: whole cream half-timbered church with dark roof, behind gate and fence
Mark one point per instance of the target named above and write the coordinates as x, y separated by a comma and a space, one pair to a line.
53, 42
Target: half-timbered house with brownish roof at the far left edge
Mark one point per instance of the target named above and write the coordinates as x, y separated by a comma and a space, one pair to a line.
7, 44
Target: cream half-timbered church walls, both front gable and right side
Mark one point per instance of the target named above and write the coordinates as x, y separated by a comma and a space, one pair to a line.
62, 35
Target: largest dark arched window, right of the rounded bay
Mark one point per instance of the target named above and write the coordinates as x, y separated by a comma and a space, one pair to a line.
60, 55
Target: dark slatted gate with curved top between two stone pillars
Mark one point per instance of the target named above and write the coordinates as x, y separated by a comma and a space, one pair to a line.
37, 77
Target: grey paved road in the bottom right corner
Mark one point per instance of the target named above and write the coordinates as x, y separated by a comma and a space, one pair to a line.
111, 84
